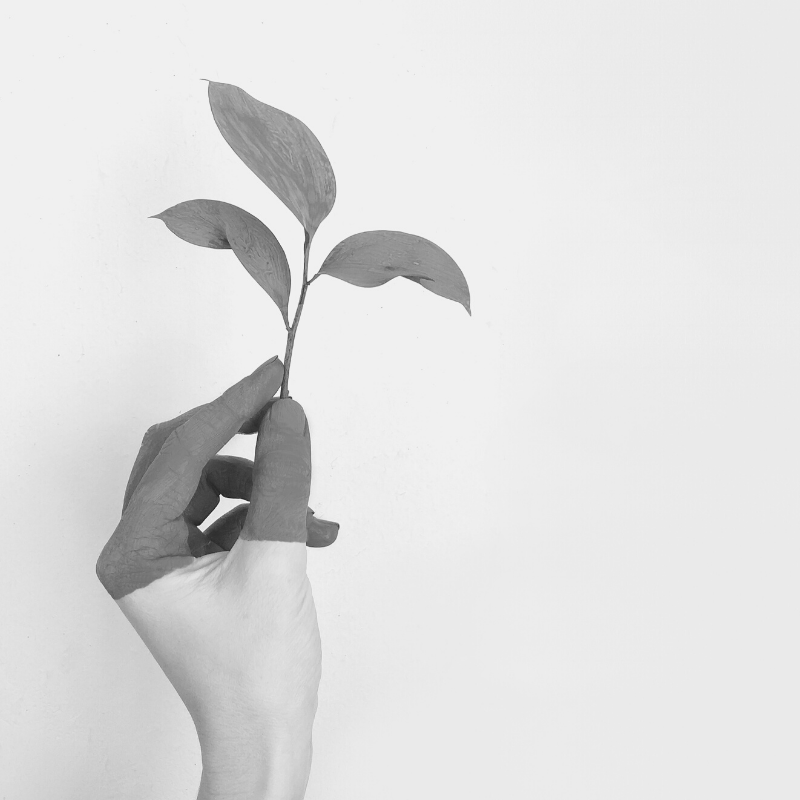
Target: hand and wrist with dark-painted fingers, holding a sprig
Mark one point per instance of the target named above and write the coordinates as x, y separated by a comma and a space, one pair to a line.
228, 613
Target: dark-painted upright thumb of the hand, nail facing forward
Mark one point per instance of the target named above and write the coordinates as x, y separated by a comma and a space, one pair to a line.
281, 476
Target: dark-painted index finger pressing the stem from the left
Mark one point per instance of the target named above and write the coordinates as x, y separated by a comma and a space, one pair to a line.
171, 479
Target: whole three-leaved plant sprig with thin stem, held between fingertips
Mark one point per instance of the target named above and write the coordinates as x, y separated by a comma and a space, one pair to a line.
288, 158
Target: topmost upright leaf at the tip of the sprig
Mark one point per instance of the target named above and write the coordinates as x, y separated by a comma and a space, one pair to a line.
280, 149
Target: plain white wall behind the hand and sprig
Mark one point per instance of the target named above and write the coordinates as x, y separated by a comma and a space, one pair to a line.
568, 559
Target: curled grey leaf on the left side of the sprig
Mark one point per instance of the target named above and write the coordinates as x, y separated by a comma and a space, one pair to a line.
212, 223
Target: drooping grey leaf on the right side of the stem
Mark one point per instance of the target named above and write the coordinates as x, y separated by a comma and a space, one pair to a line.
374, 257
